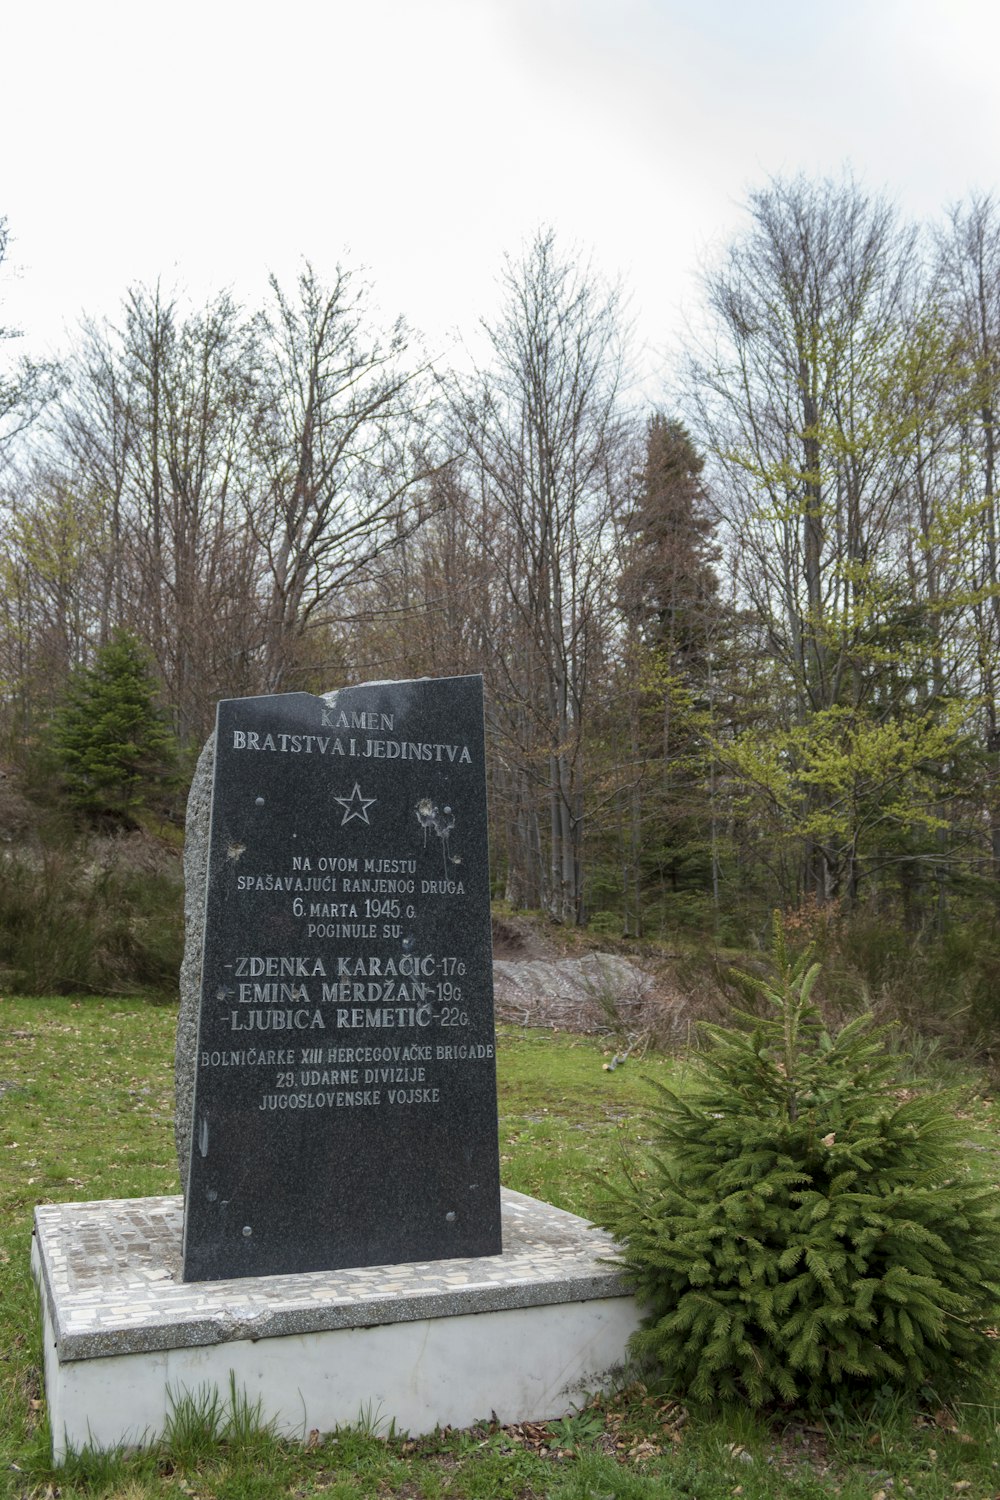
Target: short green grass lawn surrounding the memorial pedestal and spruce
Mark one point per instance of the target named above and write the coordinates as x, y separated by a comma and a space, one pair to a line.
86, 1112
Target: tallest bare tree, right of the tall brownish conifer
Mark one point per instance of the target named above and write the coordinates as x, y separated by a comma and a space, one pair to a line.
810, 314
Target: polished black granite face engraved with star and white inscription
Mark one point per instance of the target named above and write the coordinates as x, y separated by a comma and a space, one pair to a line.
346, 1088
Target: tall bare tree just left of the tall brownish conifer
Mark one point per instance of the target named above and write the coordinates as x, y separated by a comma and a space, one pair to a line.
545, 445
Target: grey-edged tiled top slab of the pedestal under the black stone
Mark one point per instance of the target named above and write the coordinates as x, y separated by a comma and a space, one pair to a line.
110, 1276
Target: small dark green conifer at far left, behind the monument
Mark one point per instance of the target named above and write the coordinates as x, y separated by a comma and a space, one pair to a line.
112, 740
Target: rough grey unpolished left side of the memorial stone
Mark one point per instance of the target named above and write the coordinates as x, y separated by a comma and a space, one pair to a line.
197, 832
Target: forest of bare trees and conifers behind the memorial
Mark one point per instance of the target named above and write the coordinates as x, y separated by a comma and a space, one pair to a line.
740, 652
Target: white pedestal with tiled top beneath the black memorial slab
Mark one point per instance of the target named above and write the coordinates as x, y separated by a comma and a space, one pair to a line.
522, 1336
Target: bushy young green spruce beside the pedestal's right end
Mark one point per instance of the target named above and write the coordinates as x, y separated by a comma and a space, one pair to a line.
806, 1228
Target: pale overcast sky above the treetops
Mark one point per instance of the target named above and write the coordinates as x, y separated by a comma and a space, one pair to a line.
209, 142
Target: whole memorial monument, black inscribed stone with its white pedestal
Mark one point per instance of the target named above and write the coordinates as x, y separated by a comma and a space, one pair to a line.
340, 1243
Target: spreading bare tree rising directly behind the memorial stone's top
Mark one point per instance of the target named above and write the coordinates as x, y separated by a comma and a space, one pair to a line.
340, 448
